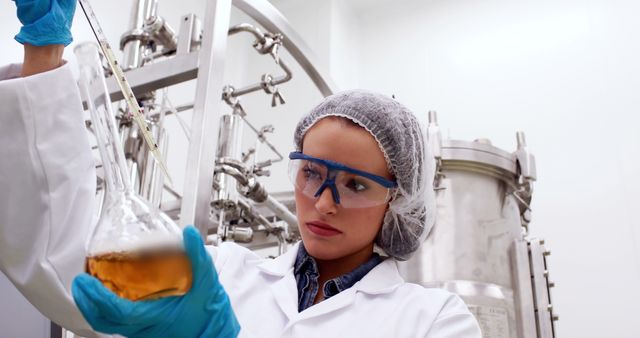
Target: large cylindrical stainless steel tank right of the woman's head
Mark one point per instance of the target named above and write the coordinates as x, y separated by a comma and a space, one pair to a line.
479, 248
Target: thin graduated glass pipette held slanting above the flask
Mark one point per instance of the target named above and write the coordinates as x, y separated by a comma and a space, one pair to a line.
118, 74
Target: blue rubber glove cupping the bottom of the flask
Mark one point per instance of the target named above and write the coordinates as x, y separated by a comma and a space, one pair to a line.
204, 311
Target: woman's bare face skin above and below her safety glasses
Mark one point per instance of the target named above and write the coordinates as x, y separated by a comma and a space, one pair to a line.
335, 140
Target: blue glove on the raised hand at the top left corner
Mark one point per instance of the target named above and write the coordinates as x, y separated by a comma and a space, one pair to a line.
45, 22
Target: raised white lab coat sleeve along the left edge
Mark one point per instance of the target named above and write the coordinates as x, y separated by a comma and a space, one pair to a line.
47, 190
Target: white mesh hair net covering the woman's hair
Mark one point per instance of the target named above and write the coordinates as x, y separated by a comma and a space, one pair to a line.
411, 212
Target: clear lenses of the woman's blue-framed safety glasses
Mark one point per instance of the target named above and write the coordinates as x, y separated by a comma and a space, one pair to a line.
354, 191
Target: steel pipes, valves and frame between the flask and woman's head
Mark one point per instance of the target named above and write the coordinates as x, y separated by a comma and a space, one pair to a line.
222, 194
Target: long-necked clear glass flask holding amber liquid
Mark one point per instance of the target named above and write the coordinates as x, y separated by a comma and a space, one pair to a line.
135, 250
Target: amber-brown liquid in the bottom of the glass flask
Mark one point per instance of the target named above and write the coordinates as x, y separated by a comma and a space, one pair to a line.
143, 275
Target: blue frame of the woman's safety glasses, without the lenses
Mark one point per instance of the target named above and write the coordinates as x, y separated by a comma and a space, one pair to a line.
336, 166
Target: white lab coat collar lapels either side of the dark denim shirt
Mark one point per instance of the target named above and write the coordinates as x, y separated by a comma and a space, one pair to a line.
384, 278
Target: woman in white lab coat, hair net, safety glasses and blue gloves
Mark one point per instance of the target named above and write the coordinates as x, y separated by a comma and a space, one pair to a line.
361, 179
